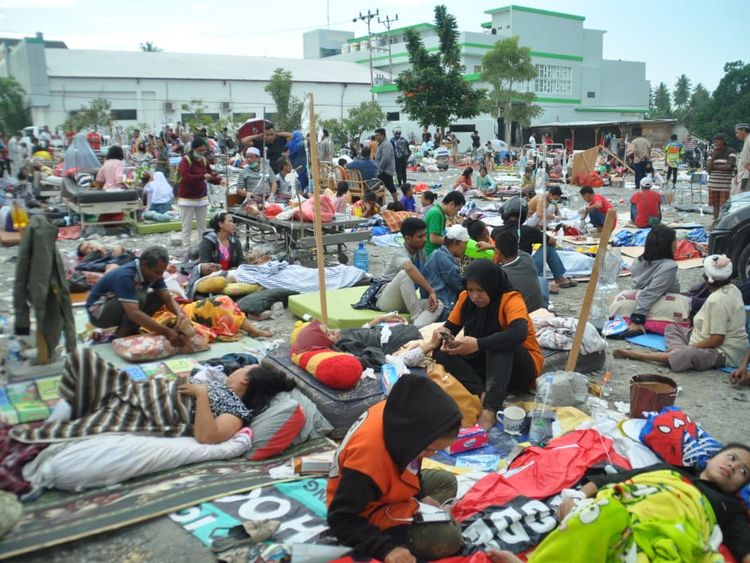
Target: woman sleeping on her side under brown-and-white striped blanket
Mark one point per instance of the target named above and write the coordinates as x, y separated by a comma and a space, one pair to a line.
212, 413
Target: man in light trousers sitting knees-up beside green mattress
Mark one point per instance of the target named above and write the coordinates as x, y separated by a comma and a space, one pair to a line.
405, 273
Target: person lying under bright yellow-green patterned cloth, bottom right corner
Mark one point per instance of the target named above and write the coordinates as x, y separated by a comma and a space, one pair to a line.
654, 513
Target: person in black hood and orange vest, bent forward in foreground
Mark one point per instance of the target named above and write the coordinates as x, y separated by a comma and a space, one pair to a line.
376, 476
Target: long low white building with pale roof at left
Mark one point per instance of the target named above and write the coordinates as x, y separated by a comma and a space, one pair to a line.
151, 88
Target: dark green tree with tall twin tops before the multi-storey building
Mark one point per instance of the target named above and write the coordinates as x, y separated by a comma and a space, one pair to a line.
432, 90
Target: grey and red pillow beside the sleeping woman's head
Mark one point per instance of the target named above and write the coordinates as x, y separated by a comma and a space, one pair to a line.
275, 428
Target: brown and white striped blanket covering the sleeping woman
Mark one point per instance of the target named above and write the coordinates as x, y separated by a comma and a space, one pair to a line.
105, 399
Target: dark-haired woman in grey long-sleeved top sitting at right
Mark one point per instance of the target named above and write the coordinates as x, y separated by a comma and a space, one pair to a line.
654, 276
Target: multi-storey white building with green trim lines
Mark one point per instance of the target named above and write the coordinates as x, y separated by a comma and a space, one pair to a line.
574, 83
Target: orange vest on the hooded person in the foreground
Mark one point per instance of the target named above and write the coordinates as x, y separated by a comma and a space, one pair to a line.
363, 449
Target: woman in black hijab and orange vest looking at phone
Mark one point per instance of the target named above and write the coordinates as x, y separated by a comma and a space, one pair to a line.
499, 352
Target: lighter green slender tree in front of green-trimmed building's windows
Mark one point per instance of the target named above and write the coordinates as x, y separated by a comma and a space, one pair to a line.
506, 67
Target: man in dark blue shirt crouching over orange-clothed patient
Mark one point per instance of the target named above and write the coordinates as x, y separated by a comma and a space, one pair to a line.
127, 296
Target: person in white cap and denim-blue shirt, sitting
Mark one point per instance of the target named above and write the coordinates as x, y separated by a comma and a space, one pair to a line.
443, 272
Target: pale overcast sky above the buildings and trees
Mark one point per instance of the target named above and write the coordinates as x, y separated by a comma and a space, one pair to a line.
691, 36
